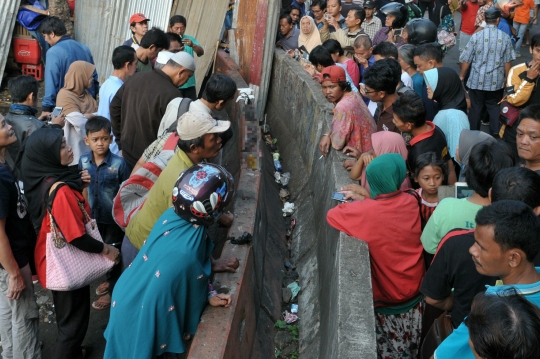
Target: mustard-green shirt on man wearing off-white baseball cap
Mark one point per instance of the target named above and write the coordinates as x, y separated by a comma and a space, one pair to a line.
158, 201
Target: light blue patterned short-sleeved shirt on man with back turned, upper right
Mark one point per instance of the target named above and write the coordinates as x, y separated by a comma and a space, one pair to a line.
487, 52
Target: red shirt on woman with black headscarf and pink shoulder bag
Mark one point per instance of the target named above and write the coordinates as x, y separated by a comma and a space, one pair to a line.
70, 222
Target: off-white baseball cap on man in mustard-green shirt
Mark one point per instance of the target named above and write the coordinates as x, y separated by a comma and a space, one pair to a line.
193, 125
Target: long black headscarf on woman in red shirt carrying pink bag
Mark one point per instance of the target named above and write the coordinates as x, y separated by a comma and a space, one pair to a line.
41, 167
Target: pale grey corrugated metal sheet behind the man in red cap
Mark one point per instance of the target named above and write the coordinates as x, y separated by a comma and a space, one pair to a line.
102, 25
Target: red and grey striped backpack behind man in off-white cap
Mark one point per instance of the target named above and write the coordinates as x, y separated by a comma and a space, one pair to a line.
133, 191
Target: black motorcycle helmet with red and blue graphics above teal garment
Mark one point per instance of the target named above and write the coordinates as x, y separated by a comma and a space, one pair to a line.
202, 192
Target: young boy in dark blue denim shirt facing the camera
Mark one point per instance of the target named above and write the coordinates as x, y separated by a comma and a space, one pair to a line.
108, 171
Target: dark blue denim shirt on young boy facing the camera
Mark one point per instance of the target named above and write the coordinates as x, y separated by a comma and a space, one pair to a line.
105, 183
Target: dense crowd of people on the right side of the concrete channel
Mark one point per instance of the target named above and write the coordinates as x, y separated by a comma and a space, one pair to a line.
415, 124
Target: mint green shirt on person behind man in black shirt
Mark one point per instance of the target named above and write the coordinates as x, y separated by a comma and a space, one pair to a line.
451, 213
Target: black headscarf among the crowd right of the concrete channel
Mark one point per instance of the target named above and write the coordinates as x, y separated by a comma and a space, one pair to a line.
449, 93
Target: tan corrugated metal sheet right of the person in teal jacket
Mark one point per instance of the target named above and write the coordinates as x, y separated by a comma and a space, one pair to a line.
204, 22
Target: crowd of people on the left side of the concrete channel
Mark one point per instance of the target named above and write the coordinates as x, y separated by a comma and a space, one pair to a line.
76, 200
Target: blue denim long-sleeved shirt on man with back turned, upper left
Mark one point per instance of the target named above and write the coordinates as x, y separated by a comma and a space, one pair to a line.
59, 58
